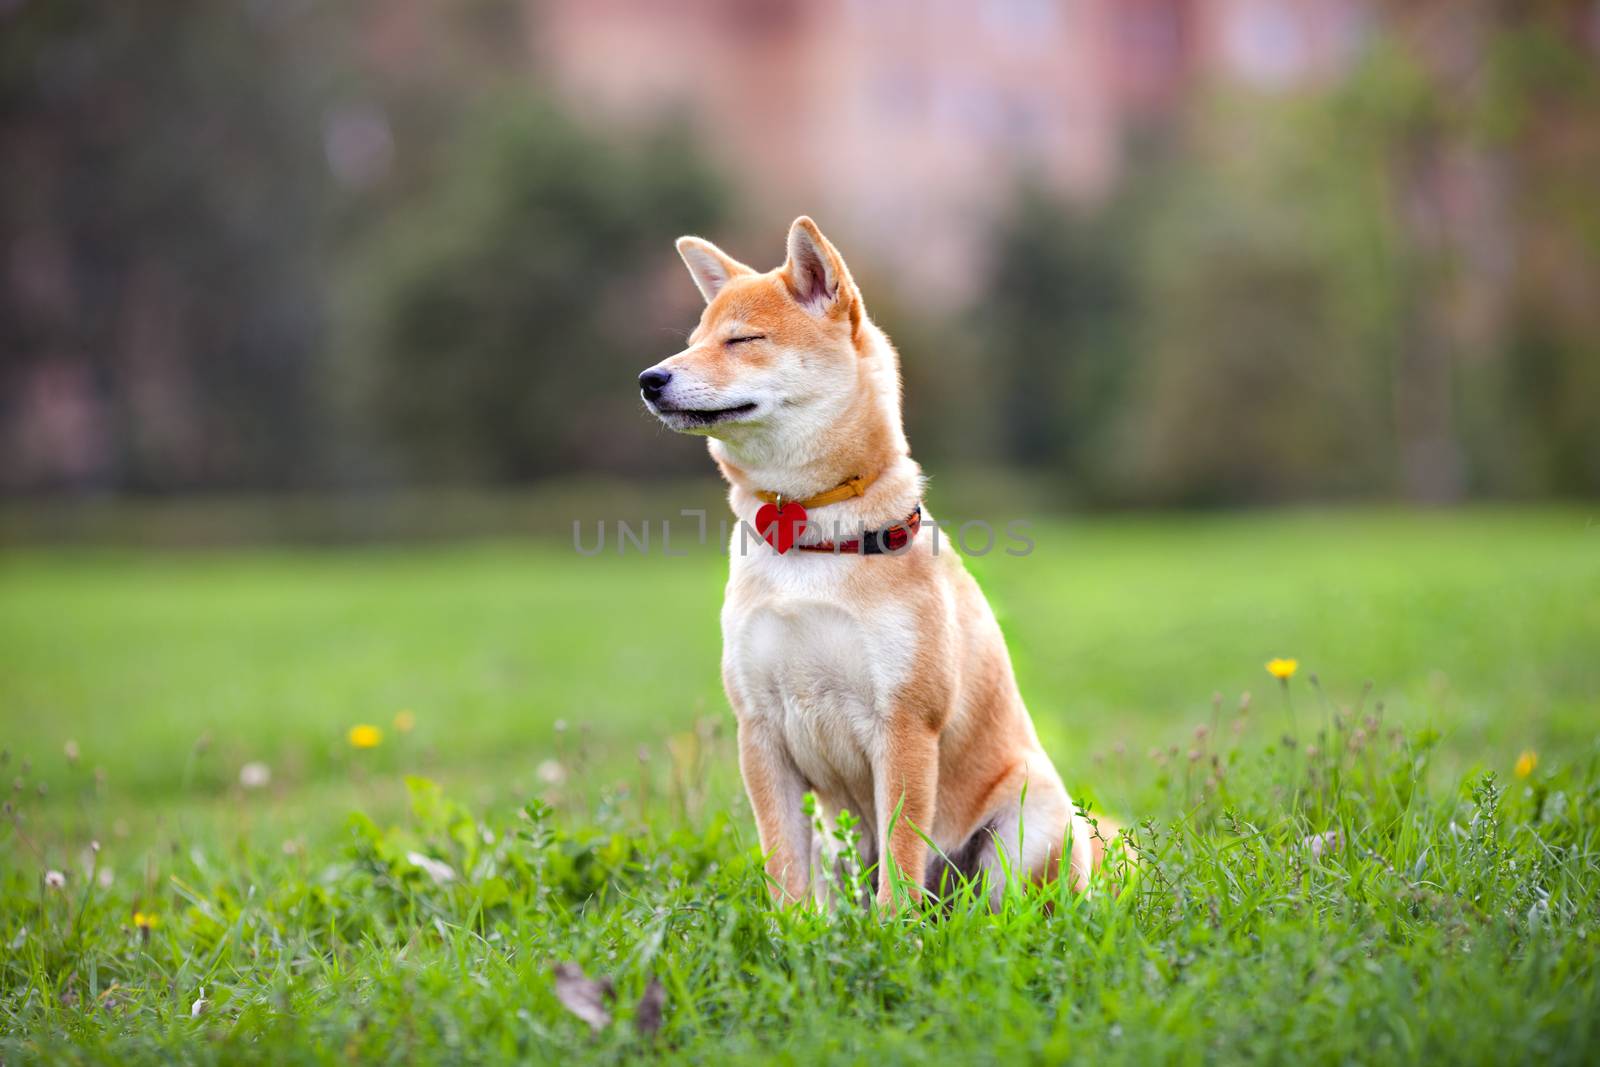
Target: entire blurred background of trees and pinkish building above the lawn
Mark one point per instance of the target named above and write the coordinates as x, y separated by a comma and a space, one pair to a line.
1145, 252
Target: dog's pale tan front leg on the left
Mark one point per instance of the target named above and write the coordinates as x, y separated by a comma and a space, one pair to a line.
778, 801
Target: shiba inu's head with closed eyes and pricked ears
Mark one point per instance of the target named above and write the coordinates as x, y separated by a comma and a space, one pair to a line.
775, 356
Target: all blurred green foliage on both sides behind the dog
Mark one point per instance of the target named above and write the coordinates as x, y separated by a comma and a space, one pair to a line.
252, 254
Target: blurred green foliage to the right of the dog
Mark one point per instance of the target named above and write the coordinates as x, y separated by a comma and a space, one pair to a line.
1383, 289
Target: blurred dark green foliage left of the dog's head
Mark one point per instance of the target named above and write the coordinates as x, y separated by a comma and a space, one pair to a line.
249, 254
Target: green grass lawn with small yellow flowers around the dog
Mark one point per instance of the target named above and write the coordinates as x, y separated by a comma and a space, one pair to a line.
591, 810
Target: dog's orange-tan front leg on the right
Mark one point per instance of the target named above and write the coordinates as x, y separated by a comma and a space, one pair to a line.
905, 786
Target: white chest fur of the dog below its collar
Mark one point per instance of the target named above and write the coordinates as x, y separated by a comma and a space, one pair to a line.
820, 668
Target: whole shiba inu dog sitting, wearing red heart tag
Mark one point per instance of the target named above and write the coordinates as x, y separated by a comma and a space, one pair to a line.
862, 660
